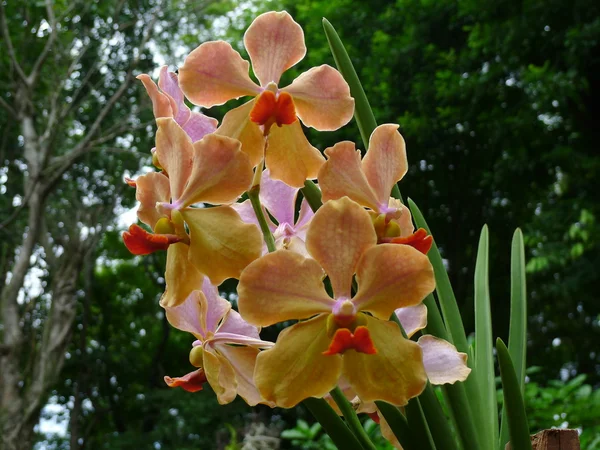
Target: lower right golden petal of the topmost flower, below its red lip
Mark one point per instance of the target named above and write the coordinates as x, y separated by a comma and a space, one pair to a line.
290, 157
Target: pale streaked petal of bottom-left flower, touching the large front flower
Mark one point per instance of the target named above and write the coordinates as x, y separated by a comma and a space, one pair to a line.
243, 361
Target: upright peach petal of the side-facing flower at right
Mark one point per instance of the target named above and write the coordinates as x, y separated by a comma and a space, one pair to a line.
385, 163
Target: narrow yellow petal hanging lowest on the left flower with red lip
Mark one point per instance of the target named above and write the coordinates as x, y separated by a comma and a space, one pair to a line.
181, 277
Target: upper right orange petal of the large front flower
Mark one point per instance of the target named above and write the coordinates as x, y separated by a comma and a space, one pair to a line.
392, 276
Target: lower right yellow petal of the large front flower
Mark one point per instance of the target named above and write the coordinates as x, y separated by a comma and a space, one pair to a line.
395, 374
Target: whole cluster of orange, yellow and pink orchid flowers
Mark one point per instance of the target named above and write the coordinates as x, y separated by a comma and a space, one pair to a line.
350, 275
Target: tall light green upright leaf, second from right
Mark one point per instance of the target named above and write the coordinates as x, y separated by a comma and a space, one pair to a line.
486, 406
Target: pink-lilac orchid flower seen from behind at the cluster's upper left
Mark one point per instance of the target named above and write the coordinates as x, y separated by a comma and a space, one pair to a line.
170, 103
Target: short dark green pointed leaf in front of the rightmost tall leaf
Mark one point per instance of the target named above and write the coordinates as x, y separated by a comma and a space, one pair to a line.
513, 400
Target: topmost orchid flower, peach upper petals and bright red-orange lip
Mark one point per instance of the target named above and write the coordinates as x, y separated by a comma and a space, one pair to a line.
215, 73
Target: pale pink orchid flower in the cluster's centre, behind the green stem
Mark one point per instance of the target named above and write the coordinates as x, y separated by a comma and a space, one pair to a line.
279, 200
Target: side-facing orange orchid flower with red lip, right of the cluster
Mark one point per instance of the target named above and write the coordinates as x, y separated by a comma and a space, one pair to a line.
370, 181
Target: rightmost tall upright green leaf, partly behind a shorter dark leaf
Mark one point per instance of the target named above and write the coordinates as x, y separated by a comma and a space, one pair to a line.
517, 338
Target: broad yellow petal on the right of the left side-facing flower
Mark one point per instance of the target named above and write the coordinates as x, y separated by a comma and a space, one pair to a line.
221, 244
